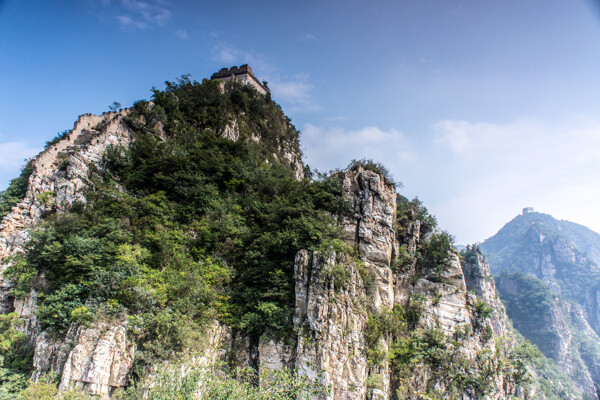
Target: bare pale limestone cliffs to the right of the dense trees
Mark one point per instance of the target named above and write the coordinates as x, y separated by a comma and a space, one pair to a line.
329, 344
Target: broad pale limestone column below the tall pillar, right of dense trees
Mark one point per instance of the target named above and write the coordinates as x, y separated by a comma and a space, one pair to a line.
330, 323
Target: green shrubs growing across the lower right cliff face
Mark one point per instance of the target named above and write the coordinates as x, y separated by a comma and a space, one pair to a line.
414, 349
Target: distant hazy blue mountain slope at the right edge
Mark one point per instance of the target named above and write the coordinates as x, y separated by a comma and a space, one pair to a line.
549, 285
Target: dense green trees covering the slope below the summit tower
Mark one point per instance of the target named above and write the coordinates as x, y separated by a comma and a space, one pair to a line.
185, 226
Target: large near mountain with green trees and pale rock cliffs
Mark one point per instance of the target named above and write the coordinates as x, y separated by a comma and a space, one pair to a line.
182, 226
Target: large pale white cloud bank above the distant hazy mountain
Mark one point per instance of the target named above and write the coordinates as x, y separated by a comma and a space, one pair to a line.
476, 176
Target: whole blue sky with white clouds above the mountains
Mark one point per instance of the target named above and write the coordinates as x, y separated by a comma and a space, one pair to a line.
479, 107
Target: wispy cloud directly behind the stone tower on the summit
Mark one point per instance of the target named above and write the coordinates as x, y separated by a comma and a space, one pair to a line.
292, 90
